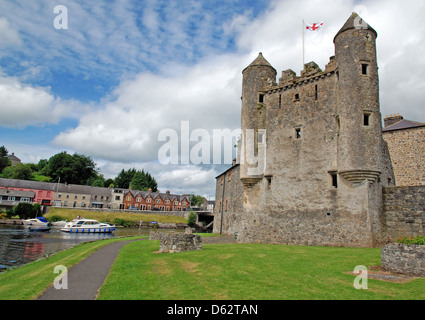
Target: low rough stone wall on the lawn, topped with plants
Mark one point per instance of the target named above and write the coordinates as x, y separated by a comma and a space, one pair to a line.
402, 258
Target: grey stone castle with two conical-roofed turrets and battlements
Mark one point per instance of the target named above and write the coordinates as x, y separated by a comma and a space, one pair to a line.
313, 164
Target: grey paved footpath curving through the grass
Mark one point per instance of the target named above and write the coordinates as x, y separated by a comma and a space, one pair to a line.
86, 278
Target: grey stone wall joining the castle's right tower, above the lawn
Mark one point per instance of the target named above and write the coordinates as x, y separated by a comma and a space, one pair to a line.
404, 211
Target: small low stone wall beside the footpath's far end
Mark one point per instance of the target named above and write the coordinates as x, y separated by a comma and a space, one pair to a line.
176, 242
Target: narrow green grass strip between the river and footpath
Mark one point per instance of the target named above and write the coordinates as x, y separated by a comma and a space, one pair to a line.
29, 281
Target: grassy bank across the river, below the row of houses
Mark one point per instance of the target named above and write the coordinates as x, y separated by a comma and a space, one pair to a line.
105, 216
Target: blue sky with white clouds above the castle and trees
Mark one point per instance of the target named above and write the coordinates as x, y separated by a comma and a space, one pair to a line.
110, 78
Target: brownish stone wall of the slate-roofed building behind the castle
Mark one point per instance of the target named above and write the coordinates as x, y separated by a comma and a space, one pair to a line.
406, 147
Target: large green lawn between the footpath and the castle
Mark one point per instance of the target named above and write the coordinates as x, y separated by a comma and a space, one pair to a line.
248, 272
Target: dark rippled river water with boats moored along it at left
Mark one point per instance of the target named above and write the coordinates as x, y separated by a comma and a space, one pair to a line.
18, 246
